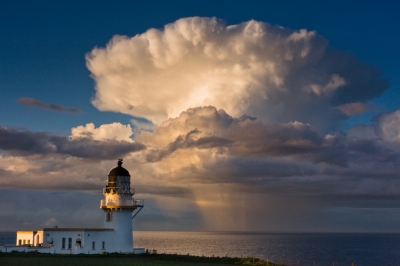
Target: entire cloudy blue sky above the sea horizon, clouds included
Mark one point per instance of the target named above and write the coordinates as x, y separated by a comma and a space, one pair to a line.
276, 116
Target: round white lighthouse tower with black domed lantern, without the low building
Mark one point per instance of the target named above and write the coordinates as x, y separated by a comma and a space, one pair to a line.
118, 205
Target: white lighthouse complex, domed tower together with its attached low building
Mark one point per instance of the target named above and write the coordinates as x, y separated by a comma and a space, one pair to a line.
116, 235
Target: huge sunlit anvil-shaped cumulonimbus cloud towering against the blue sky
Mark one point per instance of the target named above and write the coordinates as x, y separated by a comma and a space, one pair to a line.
269, 72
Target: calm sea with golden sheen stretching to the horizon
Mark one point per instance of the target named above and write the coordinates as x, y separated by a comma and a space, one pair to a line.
334, 249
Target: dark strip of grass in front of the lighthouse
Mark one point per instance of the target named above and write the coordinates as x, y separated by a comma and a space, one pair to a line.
38, 259
